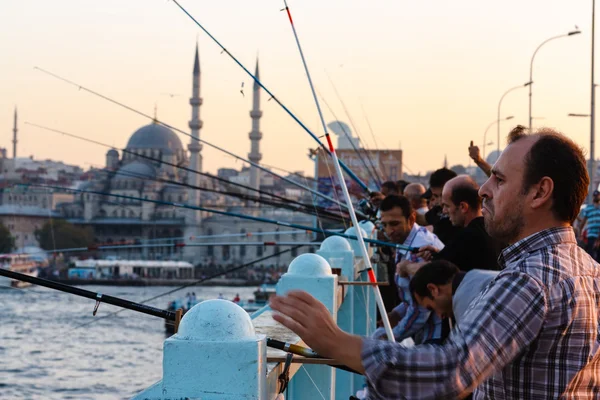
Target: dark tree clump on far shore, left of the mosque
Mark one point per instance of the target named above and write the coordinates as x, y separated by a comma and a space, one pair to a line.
60, 234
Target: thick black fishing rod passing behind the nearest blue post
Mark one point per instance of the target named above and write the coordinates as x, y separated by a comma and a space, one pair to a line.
141, 308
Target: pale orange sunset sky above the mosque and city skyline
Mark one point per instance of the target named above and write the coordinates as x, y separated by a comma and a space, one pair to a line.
428, 73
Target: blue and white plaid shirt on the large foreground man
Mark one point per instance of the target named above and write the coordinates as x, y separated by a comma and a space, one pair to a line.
533, 333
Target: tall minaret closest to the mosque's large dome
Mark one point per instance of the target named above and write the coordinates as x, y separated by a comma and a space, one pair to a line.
194, 147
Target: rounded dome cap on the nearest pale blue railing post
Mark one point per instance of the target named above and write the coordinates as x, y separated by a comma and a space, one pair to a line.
216, 321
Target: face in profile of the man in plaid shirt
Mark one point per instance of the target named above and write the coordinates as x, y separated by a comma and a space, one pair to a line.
503, 197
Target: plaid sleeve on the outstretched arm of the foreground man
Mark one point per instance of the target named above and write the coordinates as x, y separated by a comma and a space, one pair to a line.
495, 329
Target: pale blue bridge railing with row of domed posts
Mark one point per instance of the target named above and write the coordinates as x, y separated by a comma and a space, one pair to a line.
220, 352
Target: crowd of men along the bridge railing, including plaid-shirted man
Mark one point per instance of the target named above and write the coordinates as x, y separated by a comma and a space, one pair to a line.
497, 294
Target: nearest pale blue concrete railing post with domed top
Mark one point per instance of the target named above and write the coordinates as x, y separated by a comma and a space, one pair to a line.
216, 355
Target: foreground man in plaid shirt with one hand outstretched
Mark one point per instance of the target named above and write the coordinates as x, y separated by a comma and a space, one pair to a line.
533, 333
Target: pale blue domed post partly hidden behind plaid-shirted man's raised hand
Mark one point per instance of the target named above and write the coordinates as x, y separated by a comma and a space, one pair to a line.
312, 273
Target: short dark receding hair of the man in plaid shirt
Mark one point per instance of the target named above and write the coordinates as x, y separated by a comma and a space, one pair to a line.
556, 156
